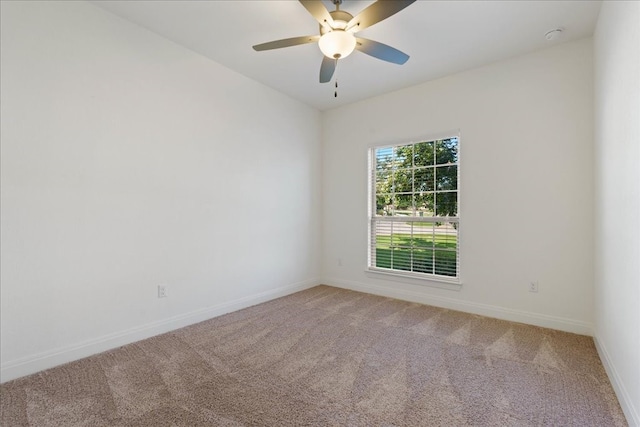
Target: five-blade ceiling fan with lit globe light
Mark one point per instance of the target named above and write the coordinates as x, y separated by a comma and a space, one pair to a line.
337, 34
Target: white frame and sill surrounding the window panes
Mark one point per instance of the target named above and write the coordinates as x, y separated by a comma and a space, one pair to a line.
433, 280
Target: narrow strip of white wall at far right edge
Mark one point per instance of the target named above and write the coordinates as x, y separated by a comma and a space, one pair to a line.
617, 179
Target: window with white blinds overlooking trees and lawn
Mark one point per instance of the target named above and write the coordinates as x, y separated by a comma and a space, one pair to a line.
413, 209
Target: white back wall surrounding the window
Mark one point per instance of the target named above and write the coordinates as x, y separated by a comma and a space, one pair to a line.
526, 171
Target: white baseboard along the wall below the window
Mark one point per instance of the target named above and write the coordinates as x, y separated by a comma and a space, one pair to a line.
545, 321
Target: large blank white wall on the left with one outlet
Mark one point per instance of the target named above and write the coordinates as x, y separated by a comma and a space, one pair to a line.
129, 162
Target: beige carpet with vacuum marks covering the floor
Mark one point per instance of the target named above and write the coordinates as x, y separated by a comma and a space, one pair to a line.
329, 357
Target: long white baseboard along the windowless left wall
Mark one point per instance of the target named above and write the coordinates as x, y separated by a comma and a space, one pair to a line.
38, 362
